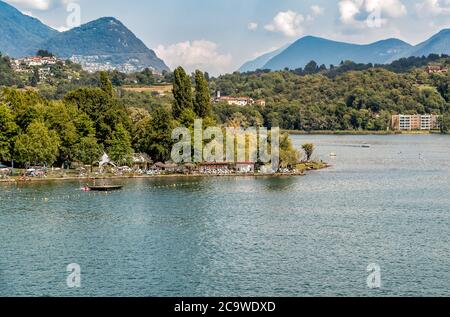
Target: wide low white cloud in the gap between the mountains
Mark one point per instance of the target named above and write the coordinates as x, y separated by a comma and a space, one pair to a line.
194, 55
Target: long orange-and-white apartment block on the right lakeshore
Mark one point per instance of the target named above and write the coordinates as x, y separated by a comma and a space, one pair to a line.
415, 122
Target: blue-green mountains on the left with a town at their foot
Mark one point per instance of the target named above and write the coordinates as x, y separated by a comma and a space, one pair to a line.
103, 43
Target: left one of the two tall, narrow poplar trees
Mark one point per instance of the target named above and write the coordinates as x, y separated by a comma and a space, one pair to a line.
182, 92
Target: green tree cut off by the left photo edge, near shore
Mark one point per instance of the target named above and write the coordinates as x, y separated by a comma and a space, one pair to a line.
8, 130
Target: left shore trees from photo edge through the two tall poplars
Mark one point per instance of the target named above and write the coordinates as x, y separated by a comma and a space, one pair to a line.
90, 120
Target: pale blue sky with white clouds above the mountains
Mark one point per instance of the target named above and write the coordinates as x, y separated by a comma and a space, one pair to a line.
218, 36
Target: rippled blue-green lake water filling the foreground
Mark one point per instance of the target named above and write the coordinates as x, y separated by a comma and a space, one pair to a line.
288, 236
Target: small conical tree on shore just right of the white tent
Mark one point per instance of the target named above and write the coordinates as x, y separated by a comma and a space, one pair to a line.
120, 149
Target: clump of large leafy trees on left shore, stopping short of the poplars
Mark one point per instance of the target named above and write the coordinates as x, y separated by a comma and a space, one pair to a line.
34, 130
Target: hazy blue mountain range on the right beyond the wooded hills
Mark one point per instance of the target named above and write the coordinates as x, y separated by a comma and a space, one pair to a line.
328, 52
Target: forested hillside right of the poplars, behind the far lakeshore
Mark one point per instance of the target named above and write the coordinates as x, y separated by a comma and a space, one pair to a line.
354, 100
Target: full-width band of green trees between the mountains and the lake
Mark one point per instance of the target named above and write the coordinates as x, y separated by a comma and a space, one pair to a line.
76, 121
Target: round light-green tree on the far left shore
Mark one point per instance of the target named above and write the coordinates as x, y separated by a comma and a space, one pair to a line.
37, 145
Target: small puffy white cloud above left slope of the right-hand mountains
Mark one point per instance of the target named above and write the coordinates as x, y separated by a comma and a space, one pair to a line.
288, 23
